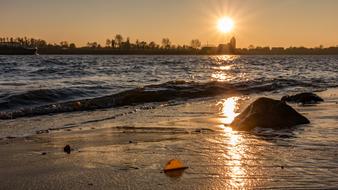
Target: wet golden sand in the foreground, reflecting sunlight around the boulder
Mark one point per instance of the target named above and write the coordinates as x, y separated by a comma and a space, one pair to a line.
126, 148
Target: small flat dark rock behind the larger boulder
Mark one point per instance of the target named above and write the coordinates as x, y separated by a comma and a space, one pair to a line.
304, 98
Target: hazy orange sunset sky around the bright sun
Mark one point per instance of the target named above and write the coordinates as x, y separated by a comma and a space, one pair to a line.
286, 23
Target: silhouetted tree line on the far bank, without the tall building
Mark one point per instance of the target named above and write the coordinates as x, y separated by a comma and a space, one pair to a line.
120, 45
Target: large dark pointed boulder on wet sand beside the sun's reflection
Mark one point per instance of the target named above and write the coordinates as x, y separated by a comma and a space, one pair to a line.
268, 113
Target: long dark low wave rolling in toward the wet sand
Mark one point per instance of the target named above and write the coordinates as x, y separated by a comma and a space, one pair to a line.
173, 90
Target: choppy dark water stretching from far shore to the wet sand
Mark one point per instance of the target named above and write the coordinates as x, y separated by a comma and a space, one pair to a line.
27, 82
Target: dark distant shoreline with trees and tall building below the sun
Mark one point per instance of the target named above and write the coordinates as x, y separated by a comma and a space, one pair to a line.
118, 46
